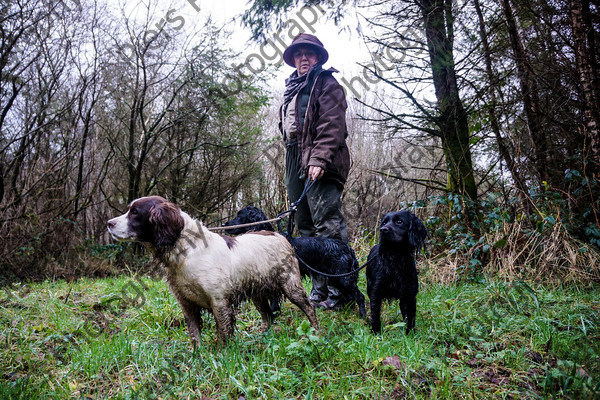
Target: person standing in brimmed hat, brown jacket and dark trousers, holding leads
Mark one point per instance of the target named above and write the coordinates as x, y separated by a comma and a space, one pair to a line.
313, 125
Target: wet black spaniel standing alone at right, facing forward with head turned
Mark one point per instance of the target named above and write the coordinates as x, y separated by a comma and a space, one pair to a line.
391, 270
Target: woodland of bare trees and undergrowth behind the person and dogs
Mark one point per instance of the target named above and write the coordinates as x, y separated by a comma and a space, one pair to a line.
486, 124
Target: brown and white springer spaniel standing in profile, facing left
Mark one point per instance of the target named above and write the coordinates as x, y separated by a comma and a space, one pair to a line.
213, 272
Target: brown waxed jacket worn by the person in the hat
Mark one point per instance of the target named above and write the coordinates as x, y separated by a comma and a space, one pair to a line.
322, 142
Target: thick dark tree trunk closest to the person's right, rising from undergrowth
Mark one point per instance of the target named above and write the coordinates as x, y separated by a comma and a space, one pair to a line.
452, 121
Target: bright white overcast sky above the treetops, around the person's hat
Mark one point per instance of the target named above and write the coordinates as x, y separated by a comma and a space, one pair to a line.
346, 47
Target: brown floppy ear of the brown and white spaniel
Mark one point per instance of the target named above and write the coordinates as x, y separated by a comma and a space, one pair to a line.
168, 224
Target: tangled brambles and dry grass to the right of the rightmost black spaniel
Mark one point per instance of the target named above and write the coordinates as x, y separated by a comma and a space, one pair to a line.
544, 235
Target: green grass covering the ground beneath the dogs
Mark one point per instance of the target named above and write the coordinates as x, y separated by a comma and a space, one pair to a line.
124, 338
